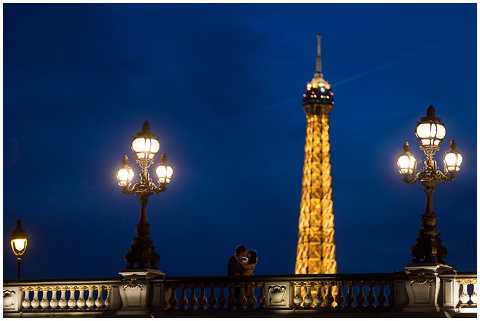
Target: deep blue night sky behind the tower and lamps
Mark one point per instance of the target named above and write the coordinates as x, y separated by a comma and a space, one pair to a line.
221, 86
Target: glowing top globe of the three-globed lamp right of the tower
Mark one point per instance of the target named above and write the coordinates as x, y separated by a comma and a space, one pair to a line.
430, 131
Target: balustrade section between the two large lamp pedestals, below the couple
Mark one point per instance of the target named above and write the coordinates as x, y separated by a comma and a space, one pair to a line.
323, 293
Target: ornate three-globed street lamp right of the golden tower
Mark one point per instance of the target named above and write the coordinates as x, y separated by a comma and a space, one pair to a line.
430, 133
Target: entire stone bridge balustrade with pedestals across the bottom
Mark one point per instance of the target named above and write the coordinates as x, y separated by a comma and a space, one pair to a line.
137, 294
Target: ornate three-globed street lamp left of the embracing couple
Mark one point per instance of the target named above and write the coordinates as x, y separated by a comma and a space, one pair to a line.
145, 145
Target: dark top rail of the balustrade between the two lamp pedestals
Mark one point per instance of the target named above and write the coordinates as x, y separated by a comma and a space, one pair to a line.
297, 277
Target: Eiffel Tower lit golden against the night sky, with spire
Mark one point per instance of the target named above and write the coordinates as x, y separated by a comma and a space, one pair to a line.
316, 242
